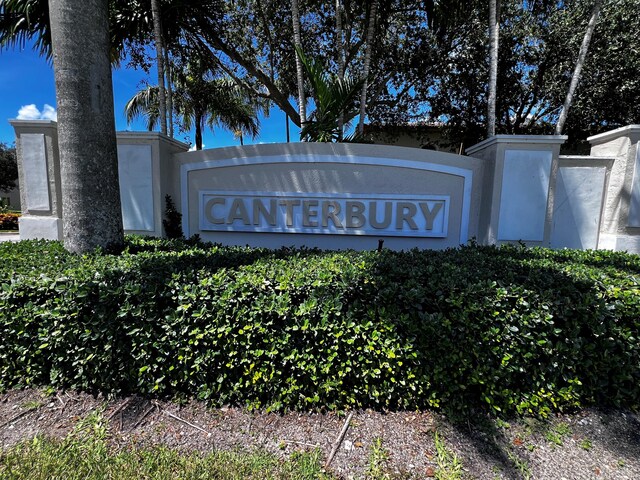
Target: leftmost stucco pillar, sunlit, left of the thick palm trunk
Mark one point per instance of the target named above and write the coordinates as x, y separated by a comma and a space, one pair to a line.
39, 179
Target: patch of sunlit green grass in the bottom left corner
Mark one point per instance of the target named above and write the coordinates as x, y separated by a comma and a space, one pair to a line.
85, 454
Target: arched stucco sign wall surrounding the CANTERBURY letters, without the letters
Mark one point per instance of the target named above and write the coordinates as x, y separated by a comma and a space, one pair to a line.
321, 171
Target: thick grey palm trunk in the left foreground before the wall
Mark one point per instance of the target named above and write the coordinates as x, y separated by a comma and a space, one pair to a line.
91, 209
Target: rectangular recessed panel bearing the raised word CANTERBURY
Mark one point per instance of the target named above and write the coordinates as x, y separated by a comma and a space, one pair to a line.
324, 213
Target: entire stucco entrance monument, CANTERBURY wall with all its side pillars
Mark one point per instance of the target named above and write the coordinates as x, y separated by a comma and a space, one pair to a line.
508, 188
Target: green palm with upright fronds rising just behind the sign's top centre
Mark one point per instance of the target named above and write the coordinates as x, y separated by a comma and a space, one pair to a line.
334, 98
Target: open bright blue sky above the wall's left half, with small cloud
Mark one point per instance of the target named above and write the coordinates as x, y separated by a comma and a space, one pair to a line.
27, 85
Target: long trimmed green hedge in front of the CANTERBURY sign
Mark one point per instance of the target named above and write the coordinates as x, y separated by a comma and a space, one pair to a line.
509, 329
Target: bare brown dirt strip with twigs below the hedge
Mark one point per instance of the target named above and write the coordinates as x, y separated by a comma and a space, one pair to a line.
591, 444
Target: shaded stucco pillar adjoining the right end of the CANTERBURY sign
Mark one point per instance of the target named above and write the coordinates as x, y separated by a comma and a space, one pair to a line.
518, 187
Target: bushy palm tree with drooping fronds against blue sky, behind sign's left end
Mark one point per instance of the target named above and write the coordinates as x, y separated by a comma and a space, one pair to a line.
199, 99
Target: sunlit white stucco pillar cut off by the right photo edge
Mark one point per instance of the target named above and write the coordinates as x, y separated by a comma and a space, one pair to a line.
620, 228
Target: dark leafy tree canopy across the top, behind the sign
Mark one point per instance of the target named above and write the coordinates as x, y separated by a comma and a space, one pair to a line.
428, 58
